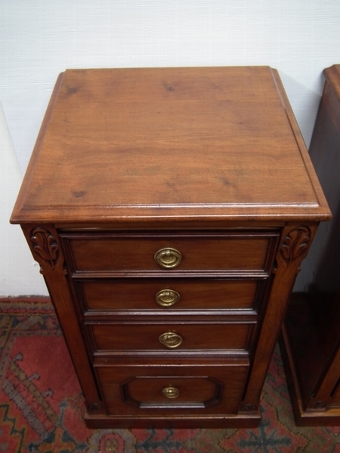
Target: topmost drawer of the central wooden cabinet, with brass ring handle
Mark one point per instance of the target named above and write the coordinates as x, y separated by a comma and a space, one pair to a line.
170, 252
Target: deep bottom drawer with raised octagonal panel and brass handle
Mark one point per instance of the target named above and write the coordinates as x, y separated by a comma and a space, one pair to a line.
178, 388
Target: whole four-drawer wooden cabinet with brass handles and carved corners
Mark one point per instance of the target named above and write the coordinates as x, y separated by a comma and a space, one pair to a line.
169, 210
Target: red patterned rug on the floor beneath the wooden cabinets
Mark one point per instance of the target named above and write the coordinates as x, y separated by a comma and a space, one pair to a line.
41, 404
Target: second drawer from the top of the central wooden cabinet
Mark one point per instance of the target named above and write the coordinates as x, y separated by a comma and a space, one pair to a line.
167, 294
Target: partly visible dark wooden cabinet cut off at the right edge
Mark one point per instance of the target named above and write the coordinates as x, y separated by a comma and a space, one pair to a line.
311, 332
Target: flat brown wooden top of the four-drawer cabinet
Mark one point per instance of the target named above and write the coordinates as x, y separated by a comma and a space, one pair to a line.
173, 143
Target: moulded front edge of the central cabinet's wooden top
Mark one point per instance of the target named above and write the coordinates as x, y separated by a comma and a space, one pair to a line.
254, 213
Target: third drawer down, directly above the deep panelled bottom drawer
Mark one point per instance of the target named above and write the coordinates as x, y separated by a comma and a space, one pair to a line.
171, 337
